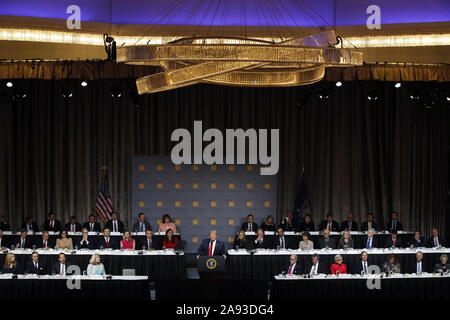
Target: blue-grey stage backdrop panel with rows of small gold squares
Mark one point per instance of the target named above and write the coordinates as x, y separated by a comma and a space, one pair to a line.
200, 198
